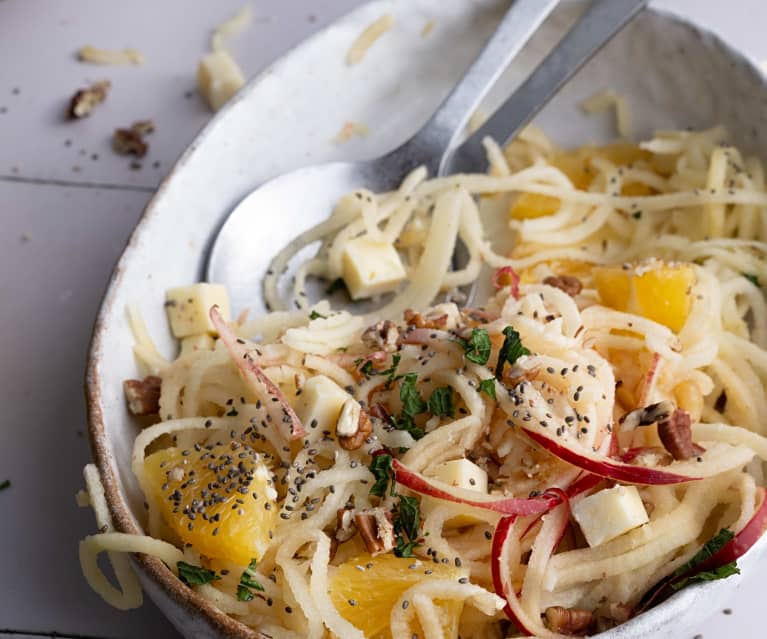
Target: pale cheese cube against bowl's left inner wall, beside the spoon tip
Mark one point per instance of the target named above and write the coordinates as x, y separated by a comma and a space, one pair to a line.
188, 308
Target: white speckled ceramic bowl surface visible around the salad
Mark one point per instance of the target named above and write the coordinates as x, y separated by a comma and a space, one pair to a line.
674, 74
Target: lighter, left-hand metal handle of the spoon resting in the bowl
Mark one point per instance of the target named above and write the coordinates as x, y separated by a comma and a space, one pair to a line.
430, 144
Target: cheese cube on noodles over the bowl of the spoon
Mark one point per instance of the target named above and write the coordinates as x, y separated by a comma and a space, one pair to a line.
371, 267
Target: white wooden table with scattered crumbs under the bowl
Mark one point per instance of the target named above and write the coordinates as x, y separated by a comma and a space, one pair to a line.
67, 205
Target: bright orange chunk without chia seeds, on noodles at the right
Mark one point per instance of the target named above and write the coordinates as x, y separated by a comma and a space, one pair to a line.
657, 290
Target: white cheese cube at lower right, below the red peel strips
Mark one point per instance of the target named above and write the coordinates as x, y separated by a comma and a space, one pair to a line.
609, 513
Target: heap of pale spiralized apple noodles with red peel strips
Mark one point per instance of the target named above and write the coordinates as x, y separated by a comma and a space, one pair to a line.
558, 417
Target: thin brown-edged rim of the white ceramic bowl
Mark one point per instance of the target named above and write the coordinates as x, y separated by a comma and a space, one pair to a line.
154, 569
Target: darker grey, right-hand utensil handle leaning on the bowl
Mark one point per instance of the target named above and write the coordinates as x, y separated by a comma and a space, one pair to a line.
599, 23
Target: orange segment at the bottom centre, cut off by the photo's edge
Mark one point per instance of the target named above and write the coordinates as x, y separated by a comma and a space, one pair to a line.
376, 583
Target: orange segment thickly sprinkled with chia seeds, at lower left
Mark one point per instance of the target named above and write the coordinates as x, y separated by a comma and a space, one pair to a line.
219, 500
